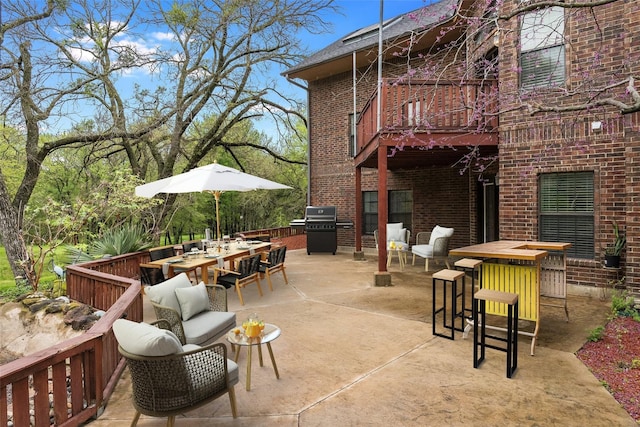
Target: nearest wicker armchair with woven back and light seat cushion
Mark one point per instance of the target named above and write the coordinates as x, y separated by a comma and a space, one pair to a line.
172, 384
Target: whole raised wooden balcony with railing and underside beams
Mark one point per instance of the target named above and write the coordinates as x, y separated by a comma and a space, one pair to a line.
426, 122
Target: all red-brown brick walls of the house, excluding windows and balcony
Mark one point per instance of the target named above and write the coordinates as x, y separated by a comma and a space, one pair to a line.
603, 43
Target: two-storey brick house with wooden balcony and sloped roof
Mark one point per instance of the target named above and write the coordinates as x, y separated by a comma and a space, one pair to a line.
478, 129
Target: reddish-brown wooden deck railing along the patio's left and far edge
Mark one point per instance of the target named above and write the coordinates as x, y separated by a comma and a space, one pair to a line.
67, 384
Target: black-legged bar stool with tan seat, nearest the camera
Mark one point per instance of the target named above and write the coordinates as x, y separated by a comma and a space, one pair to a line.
480, 299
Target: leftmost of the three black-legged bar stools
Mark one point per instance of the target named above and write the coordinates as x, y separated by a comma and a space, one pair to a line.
448, 278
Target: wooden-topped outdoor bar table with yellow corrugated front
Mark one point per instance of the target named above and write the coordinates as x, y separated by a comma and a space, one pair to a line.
516, 266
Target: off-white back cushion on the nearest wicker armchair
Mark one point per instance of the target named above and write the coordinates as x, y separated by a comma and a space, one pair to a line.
144, 339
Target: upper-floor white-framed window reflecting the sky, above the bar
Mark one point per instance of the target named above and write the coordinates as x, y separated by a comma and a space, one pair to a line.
542, 49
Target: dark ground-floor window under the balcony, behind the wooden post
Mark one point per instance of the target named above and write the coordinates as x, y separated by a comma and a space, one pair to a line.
400, 209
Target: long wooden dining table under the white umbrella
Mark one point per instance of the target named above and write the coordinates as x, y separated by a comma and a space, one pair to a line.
204, 260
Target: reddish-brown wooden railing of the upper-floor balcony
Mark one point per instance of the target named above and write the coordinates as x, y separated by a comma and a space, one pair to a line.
430, 106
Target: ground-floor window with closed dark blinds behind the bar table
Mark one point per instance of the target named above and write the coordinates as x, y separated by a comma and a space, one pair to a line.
566, 211
